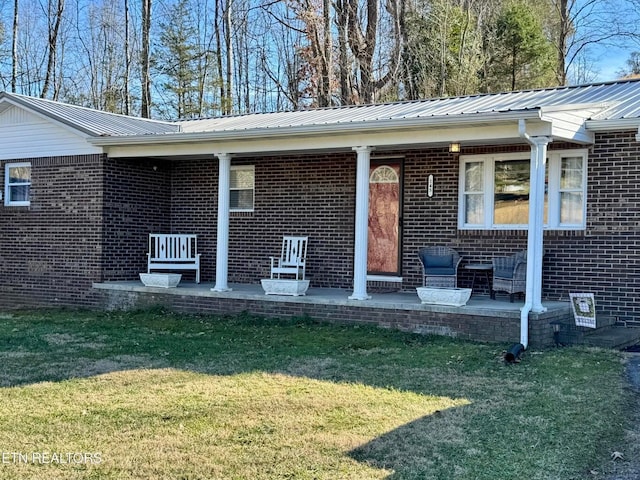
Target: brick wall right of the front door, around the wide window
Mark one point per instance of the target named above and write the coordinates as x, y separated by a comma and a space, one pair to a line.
603, 259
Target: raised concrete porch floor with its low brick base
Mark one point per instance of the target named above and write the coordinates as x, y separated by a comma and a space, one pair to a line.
481, 319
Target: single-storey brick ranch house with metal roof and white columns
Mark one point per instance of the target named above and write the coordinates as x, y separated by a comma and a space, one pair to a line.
554, 171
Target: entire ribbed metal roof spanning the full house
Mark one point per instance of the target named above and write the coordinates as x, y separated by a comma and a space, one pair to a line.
619, 100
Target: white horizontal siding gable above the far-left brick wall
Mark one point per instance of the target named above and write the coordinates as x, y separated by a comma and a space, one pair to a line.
27, 135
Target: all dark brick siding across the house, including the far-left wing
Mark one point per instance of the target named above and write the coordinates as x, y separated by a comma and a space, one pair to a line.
65, 240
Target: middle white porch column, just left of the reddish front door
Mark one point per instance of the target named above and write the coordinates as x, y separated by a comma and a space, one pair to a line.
362, 224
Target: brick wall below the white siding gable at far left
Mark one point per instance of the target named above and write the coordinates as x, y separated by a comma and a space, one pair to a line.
50, 252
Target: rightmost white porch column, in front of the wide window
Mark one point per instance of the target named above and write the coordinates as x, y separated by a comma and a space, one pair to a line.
535, 248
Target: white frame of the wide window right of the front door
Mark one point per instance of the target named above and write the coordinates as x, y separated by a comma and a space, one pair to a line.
554, 161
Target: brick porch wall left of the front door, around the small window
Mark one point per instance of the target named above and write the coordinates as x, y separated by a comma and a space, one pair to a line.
296, 195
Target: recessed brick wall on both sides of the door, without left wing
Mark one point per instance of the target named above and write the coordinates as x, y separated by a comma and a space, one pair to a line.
315, 195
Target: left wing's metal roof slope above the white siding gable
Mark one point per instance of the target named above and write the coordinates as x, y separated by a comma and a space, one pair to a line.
89, 121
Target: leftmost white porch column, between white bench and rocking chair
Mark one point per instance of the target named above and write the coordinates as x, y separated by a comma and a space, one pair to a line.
222, 244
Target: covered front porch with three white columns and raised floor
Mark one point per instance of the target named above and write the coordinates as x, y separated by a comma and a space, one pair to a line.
280, 154
